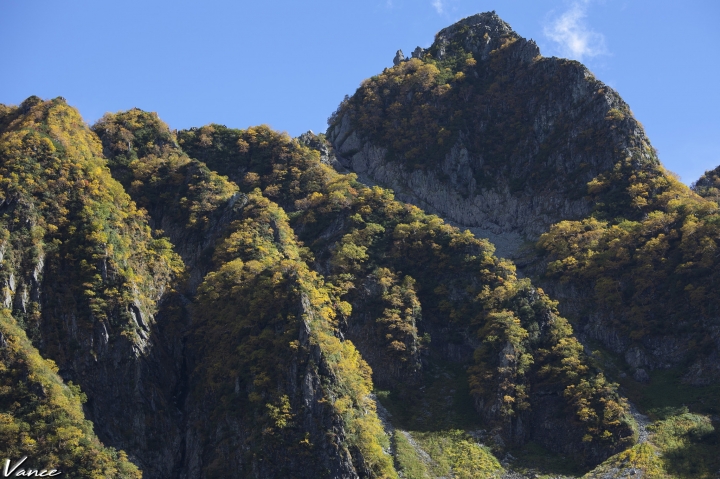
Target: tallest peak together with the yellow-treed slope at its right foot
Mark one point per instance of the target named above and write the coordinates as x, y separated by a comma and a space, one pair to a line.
487, 133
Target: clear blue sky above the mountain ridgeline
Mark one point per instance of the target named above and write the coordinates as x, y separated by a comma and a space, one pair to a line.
289, 63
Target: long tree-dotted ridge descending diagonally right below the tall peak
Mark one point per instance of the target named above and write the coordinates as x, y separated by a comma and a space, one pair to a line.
421, 288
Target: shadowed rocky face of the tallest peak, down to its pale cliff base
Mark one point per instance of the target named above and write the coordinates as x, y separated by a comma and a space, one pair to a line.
515, 183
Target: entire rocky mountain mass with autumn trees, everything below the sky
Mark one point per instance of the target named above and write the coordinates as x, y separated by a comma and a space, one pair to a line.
481, 270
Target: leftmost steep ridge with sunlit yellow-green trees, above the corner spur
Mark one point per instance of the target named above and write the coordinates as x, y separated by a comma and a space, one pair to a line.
82, 273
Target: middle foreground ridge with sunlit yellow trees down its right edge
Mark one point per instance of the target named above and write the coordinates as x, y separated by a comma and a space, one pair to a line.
271, 388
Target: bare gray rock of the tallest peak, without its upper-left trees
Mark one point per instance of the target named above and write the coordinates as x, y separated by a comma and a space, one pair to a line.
451, 189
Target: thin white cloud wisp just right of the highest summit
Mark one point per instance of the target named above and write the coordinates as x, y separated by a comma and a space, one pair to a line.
575, 38
